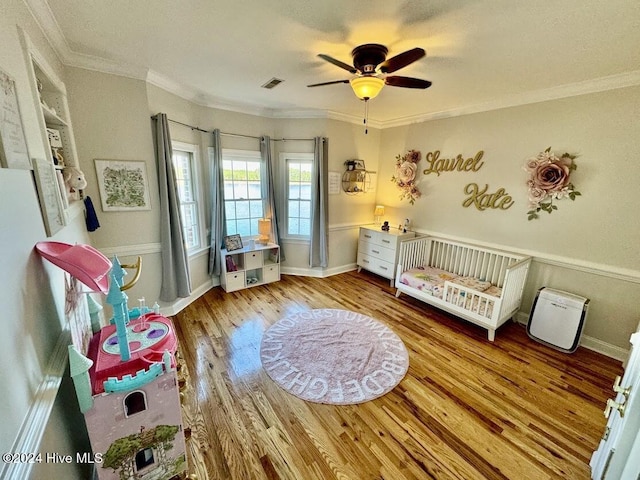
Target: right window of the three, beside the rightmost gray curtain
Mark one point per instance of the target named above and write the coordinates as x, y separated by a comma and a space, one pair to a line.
298, 189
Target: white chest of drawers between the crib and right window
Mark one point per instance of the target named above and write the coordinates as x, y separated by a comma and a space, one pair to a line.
378, 250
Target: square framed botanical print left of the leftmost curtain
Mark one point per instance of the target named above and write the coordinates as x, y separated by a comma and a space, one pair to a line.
123, 185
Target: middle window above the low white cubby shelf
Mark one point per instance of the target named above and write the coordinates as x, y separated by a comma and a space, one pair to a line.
244, 191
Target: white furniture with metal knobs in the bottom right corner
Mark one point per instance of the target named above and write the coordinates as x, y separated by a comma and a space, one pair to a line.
617, 454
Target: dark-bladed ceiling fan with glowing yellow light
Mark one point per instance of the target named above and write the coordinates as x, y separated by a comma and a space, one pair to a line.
370, 67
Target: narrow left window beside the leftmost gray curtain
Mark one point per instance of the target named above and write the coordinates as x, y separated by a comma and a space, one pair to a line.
185, 166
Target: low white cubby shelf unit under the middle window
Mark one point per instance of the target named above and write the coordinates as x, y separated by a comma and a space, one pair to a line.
250, 266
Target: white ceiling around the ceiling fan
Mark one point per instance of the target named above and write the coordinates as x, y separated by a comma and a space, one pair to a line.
481, 54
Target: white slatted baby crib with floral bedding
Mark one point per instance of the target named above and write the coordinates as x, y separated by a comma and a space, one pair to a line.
506, 273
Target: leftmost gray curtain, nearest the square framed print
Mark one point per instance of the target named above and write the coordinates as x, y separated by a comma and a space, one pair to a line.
176, 281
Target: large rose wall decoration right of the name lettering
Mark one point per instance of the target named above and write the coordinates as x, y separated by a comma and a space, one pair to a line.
549, 180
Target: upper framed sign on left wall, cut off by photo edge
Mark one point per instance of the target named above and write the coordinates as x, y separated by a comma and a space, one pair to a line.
13, 143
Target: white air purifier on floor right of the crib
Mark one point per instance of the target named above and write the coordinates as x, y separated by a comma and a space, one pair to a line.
557, 319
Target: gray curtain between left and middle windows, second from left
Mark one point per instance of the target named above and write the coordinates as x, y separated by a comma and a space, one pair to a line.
217, 204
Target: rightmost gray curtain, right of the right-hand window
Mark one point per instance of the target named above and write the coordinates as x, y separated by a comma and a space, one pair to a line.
318, 249
